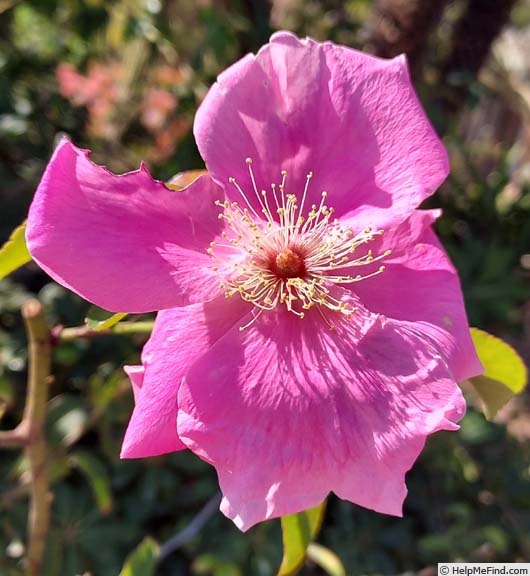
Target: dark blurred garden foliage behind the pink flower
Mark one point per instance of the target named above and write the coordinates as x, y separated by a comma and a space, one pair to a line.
124, 78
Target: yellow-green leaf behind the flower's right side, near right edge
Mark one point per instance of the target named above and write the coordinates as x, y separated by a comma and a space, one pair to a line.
504, 372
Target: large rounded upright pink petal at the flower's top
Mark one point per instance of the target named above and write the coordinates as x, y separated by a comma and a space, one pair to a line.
352, 119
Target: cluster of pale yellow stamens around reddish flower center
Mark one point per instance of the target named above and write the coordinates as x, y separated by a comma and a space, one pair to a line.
282, 254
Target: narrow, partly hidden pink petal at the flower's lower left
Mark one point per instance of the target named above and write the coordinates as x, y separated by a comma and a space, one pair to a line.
179, 338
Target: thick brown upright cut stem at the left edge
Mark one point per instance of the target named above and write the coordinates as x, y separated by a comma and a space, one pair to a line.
30, 432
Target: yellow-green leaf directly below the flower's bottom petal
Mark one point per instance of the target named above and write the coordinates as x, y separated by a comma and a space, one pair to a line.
297, 532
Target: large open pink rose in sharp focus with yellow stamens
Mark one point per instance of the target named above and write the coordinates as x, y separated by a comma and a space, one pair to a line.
312, 330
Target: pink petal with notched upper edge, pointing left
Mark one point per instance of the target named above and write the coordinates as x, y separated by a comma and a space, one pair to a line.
126, 243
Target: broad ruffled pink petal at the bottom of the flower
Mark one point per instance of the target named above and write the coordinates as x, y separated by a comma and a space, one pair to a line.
288, 410
